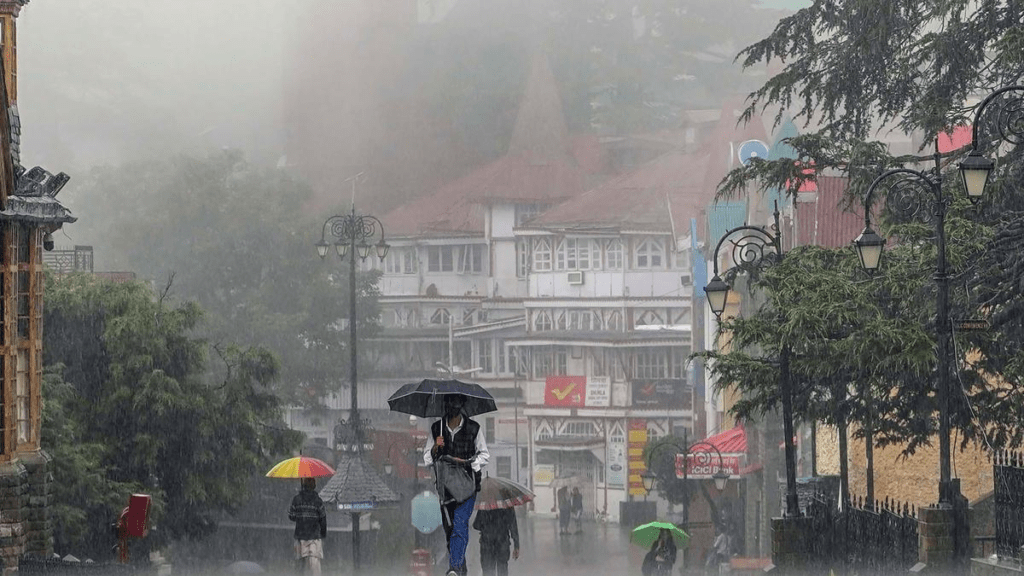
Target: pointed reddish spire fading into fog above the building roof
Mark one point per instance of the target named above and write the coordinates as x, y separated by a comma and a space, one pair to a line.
540, 133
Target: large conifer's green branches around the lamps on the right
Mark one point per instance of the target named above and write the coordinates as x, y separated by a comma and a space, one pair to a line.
850, 69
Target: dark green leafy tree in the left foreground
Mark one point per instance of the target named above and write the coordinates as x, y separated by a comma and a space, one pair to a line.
137, 410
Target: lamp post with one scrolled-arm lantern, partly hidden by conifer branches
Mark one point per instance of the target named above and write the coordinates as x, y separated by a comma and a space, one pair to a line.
752, 245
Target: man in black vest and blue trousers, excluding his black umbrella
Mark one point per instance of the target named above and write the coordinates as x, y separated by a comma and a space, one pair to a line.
458, 438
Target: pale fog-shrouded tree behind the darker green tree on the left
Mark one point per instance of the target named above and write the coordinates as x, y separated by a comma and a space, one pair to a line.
233, 239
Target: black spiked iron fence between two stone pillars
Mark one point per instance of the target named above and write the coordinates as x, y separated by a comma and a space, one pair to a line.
862, 540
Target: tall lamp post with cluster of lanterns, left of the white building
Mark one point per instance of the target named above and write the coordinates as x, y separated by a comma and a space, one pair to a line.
353, 234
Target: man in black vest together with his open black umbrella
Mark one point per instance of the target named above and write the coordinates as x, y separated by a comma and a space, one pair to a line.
457, 451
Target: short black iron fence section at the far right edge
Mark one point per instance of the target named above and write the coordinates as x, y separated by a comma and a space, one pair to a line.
1009, 495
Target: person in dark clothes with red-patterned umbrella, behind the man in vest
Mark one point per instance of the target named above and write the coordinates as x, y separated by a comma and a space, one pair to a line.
497, 522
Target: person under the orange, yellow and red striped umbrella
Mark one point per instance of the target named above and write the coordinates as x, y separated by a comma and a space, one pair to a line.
308, 510
